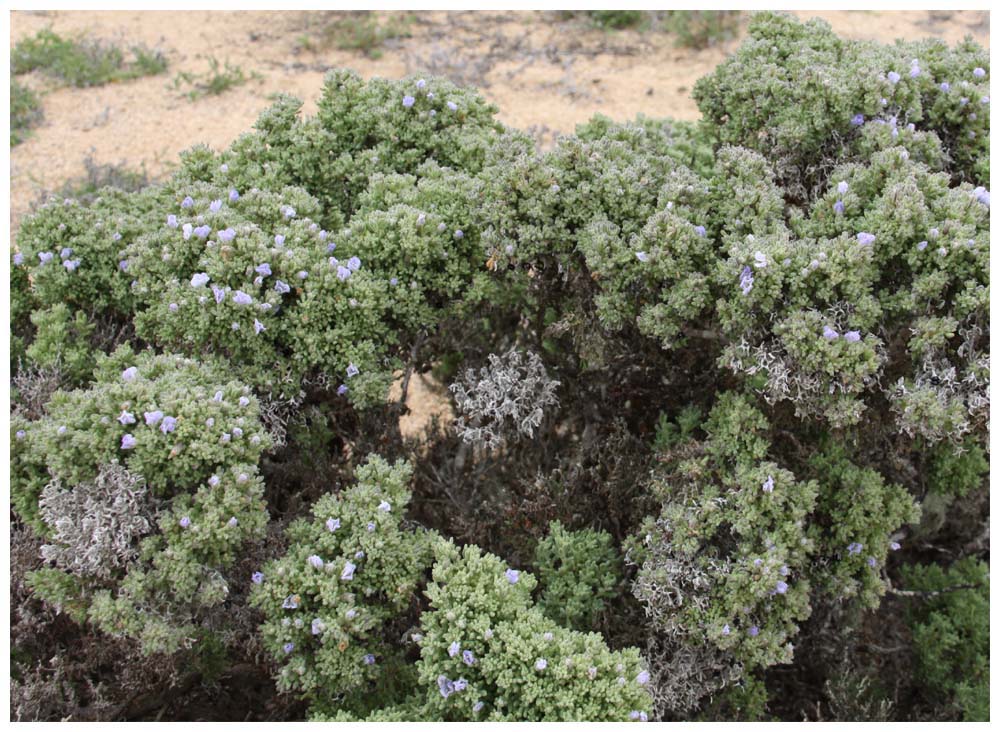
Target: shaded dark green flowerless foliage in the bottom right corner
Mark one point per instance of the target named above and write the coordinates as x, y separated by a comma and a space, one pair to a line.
949, 619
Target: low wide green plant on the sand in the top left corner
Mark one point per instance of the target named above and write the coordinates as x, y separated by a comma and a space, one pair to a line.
83, 62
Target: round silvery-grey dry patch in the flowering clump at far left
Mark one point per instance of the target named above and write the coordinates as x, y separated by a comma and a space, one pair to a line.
95, 525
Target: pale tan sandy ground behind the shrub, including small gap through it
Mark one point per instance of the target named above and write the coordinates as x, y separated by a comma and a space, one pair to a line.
543, 73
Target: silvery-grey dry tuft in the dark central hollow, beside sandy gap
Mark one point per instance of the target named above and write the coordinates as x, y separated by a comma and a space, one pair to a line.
506, 398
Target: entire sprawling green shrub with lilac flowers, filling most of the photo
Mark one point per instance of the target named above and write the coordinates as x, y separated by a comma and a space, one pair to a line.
712, 372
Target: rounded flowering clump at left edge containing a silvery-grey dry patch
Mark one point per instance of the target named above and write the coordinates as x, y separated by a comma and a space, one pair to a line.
156, 441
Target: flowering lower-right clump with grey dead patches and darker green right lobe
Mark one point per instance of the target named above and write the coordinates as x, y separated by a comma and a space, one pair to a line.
739, 545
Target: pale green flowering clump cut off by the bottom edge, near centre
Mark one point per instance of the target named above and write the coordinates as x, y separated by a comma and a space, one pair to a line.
487, 652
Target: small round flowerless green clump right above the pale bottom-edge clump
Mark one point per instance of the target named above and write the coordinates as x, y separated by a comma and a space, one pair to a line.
578, 572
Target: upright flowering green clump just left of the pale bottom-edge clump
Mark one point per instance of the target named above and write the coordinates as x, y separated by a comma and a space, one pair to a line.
349, 571
